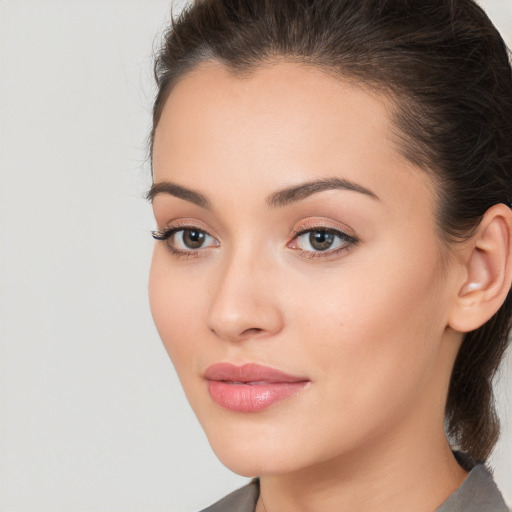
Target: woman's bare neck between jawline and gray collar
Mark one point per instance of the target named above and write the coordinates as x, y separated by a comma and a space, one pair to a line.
416, 477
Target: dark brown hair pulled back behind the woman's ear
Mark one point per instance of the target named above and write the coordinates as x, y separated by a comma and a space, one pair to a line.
448, 72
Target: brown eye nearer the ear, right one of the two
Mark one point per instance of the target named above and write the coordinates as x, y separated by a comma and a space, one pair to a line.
316, 242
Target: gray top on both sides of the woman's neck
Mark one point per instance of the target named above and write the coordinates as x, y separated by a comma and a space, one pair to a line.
478, 493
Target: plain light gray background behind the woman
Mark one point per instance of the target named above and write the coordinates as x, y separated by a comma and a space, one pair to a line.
92, 417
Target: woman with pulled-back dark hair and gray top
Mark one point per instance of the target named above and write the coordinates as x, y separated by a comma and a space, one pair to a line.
332, 183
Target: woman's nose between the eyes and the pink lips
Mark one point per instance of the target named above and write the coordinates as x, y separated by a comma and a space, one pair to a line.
245, 303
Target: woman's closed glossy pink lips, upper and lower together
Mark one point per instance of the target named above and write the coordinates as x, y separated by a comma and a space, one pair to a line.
250, 387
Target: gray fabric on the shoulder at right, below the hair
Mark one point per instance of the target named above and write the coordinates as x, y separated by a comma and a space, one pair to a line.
477, 493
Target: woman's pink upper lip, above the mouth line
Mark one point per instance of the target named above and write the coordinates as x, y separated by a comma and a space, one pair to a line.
250, 372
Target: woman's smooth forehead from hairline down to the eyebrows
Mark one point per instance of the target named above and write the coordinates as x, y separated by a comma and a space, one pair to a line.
280, 123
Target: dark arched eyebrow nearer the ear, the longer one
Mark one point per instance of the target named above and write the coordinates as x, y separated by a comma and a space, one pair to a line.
297, 193
